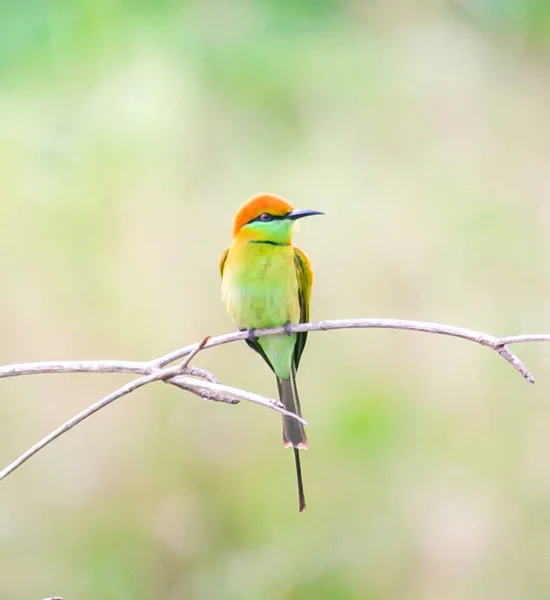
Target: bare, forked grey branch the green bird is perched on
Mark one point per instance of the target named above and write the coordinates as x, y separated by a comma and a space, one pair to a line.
205, 385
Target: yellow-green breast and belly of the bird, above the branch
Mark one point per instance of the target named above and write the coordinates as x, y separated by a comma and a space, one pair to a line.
260, 285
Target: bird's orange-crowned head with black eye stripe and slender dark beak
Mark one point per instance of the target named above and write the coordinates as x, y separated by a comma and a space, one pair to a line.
268, 218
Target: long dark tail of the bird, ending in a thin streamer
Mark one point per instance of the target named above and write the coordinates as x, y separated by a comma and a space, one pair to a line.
293, 431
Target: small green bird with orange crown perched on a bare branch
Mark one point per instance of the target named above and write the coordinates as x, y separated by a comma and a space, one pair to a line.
266, 282
